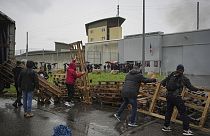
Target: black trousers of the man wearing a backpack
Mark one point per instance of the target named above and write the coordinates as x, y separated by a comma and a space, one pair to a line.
173, 100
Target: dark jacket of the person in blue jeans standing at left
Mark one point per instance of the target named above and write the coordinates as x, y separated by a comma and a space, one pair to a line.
28, 80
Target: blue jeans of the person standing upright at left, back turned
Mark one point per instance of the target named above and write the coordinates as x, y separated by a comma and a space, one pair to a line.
27, 100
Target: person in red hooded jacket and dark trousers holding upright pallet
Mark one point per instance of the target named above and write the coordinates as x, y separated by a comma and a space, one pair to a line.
71, 76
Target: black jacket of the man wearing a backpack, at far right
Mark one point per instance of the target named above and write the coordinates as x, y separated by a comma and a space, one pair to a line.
182, 81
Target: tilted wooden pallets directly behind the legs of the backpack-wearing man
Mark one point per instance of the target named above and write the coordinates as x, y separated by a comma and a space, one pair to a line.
152, 102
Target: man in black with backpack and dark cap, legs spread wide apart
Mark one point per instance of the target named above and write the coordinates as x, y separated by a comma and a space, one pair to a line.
174, 84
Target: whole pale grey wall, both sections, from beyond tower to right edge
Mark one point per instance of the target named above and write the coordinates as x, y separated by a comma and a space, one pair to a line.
188, 48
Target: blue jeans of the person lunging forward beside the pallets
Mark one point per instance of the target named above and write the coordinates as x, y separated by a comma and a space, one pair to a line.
133, 102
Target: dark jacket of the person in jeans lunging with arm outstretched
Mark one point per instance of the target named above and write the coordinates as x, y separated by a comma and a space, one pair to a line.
132, 83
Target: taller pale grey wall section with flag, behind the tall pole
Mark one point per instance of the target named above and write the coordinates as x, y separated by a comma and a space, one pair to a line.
130, 49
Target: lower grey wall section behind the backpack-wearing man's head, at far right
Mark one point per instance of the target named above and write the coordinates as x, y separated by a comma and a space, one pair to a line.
188, 48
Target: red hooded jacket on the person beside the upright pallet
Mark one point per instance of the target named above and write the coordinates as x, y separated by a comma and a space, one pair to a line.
71, 74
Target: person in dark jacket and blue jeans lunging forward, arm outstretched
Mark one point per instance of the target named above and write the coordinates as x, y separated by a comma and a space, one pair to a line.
129, 93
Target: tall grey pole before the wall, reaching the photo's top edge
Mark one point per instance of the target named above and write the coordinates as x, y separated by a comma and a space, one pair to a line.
143, 40
